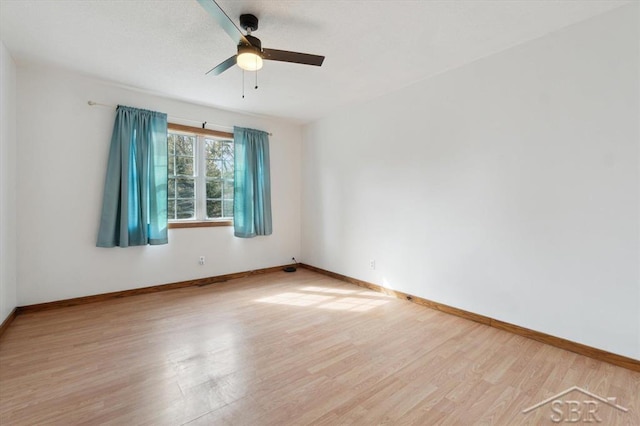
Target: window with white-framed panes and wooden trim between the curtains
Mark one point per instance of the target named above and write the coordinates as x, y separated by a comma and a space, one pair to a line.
200, 177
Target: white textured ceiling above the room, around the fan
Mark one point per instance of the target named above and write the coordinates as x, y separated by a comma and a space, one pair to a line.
371, 47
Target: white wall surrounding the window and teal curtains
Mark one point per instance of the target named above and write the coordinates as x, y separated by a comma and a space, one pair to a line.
62, 157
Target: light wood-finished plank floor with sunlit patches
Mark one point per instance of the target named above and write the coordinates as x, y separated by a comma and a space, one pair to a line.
286, 349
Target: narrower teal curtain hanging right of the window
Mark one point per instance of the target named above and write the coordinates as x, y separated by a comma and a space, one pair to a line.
252, 183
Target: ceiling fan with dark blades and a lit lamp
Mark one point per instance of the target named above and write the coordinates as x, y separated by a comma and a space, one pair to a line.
250, 52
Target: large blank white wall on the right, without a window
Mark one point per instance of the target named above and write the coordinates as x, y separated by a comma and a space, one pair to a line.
508, 187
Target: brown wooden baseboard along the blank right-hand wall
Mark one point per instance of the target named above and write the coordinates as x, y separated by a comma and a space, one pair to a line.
579, 348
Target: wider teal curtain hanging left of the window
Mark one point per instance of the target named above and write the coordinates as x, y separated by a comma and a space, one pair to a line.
134, 207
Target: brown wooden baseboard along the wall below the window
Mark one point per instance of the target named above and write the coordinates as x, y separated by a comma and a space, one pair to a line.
144, 290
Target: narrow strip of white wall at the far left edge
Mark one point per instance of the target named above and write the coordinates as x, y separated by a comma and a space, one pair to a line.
8, 275
